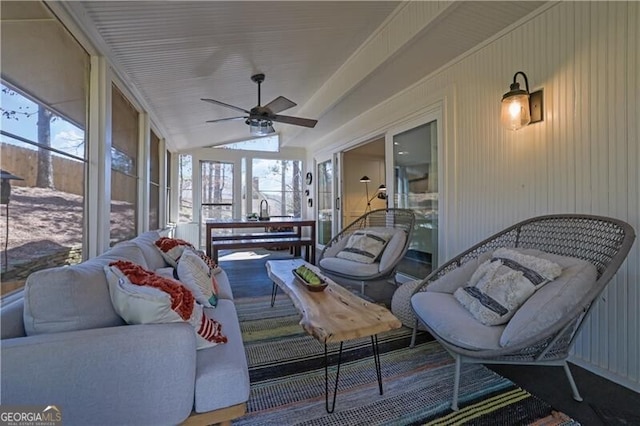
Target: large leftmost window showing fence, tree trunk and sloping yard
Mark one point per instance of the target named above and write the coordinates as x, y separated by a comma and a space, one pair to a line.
42, 142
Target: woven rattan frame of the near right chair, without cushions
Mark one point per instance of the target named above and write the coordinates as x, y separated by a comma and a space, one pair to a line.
604, 242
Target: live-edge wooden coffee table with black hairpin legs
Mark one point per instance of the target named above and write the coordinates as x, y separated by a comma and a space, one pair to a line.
334, 315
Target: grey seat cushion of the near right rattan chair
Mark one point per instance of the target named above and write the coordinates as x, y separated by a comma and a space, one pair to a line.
442, 313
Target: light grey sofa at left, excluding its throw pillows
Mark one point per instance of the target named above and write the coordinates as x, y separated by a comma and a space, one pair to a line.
64, 345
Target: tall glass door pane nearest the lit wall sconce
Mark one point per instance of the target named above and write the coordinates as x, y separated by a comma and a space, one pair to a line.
415, 158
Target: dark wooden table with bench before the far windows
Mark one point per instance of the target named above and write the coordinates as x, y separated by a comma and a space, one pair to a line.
261, 239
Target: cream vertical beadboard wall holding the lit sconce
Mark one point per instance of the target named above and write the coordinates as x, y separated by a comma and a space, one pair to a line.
584, 157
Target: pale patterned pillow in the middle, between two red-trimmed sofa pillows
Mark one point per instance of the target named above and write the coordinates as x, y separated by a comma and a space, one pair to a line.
195, 273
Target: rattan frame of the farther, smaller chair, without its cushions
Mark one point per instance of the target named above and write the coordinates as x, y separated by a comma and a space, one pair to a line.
389, 218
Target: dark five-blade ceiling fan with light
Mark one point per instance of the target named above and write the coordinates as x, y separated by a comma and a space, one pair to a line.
260, 118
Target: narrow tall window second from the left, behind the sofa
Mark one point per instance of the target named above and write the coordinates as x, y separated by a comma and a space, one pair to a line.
124, 170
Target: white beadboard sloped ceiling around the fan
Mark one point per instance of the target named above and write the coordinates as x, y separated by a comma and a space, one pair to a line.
334, 59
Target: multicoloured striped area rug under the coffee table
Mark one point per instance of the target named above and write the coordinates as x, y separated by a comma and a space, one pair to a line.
287, 379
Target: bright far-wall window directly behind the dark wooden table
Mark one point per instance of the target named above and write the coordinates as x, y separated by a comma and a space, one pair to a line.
280, 183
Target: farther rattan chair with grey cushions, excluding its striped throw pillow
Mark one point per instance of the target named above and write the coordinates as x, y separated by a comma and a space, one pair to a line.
397, 224
